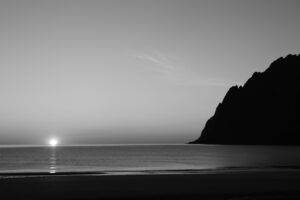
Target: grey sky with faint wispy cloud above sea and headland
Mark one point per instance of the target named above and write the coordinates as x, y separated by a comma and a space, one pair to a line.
130, 71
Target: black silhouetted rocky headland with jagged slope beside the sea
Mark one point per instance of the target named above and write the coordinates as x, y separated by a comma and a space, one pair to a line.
266, 110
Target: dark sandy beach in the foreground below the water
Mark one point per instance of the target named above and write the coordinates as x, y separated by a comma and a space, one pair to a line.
226, 185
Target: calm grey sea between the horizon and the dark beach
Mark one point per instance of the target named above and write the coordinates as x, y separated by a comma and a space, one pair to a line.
134, 158
